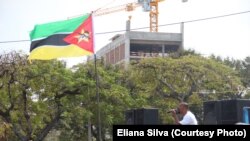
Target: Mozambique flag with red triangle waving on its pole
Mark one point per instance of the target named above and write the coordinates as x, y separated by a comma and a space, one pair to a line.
68, 38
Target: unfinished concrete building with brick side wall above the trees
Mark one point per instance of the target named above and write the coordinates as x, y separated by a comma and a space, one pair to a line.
133, 46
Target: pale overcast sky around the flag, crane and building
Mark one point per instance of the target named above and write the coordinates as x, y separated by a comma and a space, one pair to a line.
227, 37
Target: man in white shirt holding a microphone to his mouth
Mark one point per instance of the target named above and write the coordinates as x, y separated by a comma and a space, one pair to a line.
188, 117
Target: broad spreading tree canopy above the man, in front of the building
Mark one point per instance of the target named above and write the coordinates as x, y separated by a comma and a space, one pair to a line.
166, 81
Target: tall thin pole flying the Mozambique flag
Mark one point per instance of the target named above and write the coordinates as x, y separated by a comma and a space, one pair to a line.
99, 133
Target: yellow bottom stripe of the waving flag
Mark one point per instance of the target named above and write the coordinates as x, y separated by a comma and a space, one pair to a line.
48, 52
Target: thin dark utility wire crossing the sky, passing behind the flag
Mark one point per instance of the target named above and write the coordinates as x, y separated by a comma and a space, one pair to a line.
116, 31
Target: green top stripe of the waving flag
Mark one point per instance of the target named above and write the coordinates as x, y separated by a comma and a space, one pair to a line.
45, 30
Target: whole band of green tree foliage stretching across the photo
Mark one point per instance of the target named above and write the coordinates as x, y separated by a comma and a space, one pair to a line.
46, 96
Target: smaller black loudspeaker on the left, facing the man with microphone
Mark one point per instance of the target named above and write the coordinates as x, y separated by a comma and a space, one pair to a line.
142, 116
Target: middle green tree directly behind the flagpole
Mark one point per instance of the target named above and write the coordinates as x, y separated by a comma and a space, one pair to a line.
114, 100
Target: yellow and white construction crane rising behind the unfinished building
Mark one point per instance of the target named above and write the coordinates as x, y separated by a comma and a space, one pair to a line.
150, 6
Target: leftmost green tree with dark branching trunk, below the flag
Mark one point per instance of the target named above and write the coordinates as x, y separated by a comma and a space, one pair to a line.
31, 94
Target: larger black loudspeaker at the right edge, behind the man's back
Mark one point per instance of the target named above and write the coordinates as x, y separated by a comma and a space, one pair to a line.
224, 111
